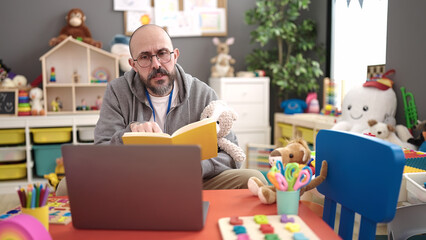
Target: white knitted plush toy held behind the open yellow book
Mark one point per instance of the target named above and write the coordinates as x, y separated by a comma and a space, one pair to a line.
225, 117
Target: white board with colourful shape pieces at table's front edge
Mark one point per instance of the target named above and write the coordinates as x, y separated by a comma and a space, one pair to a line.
265, 227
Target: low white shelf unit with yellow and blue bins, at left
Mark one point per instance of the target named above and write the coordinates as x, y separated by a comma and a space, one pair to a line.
29, 146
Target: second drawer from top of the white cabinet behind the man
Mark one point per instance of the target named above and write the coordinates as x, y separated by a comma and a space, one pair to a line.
251, 115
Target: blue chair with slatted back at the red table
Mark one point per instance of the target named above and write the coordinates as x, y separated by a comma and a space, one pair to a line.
364, 177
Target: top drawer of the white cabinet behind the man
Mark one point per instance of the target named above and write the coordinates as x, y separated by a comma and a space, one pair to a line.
234, 92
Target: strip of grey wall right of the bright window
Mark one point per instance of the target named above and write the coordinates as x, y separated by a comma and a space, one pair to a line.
406, 52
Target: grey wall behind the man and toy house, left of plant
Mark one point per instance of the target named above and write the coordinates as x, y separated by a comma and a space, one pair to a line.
27, 27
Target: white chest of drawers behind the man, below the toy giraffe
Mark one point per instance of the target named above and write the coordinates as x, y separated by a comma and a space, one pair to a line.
249, 97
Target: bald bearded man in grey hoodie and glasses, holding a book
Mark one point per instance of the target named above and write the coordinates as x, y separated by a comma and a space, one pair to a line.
156, 95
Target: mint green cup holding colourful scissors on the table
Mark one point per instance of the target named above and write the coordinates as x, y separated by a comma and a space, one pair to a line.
288, 202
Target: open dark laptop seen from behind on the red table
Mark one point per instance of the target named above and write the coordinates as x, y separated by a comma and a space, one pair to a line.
143, 187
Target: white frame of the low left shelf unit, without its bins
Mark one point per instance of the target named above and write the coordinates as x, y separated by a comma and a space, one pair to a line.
27, 123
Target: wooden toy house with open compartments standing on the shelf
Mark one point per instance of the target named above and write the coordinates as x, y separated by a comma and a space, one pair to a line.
75, 76
